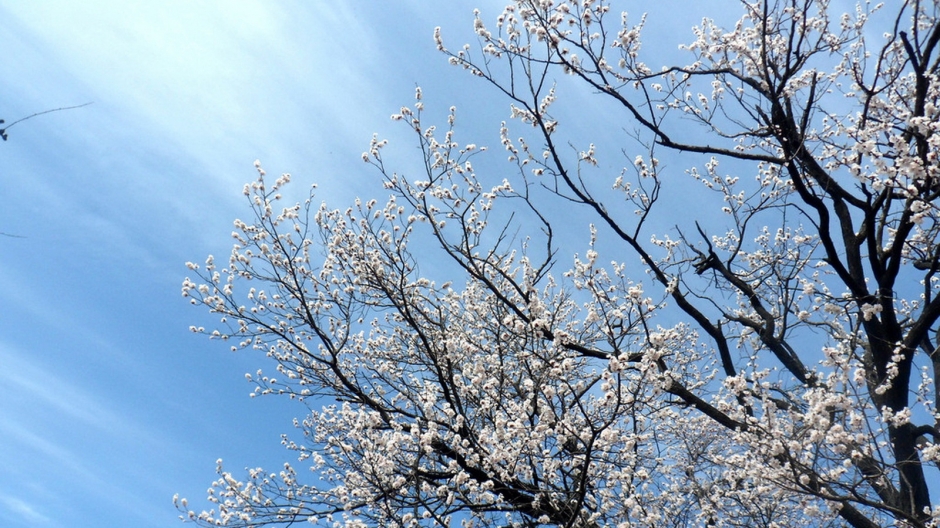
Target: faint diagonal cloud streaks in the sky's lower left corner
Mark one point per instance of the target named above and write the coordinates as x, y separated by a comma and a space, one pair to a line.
56, 433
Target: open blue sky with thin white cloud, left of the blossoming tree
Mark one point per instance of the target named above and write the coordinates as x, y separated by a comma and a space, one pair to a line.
108, 405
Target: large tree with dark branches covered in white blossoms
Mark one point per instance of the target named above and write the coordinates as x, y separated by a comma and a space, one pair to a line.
767, 359
